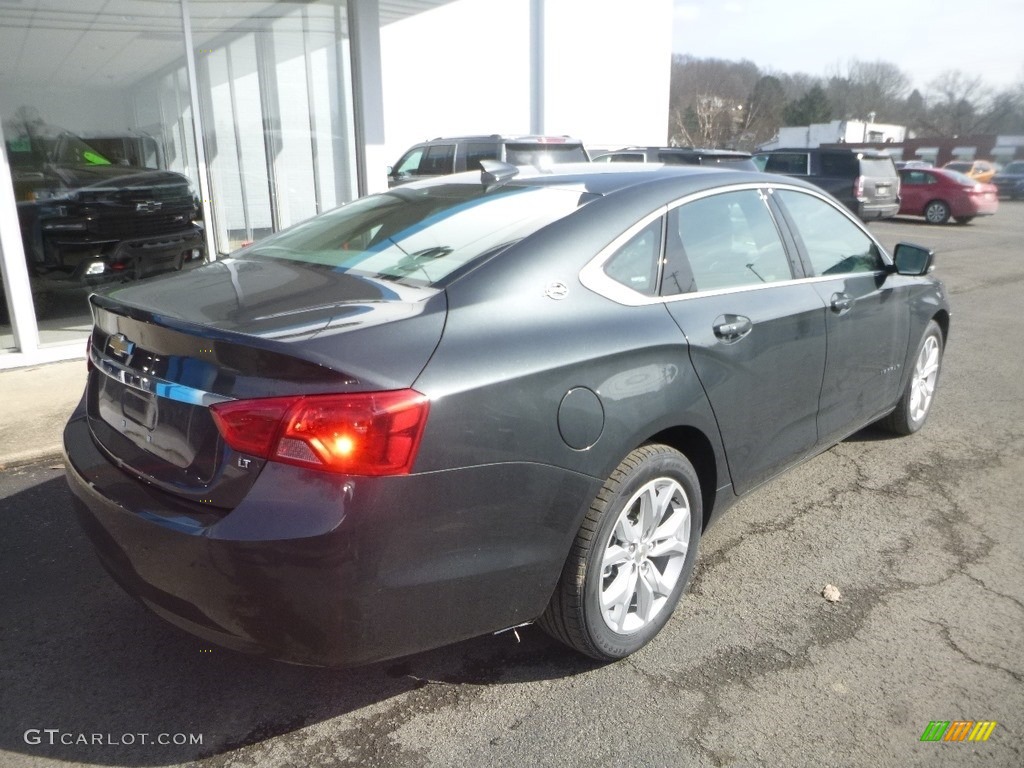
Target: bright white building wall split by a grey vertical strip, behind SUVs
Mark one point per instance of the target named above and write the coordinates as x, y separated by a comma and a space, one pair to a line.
465, 68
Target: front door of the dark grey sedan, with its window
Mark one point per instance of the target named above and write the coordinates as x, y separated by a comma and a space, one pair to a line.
867, 319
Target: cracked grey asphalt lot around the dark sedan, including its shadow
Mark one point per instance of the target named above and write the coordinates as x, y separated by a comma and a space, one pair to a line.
922, 536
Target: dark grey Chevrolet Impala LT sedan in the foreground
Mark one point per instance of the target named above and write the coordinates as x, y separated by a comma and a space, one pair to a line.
479, 402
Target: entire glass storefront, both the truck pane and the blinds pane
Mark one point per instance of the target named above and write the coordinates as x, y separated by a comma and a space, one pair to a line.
101, 138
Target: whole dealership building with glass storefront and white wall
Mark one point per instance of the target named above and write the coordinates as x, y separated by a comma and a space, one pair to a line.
273, 112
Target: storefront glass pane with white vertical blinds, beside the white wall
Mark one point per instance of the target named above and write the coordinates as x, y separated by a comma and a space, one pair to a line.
278, 133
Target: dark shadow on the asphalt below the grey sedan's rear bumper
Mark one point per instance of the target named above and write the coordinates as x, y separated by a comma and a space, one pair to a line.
84, 662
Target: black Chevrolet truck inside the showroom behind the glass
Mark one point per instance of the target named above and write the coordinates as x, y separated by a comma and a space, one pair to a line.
87, 221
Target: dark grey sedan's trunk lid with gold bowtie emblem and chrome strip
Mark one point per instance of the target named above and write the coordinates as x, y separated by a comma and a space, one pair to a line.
163, 352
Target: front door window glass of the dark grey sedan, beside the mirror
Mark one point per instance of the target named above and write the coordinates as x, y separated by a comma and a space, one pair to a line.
834, 244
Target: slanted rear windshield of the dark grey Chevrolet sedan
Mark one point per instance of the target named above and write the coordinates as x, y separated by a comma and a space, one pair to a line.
420, 237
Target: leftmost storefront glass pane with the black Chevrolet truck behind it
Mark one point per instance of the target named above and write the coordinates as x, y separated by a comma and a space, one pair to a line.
98, 200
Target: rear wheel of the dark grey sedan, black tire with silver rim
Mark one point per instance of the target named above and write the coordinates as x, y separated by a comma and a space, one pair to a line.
657, 563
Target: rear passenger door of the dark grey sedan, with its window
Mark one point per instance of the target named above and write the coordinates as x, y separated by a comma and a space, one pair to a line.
756, 334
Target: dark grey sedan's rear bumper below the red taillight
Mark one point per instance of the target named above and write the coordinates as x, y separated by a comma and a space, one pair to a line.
334, 571
